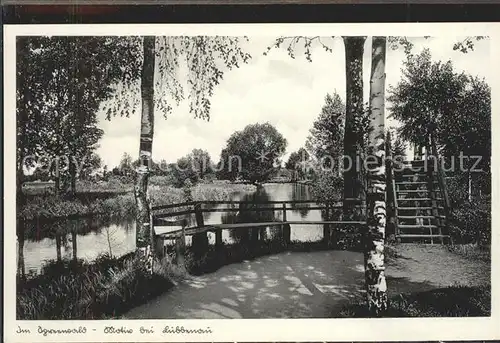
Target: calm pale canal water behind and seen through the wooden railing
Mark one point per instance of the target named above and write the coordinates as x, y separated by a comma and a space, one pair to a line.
95, 236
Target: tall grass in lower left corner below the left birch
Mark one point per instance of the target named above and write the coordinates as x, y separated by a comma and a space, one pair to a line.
103, 289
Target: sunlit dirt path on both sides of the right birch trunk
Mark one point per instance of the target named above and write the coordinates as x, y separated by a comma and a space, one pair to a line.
301, 285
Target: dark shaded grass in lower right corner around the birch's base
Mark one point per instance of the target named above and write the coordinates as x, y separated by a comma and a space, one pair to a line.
455, 301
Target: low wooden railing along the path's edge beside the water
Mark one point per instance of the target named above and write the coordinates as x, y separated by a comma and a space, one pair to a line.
188, 216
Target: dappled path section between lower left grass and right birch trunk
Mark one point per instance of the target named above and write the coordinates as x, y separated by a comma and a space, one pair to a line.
287, 285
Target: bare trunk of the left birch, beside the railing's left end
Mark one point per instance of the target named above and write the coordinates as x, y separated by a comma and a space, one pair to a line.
144, 233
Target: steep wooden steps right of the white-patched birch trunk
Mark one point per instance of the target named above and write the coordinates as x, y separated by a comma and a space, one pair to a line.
420, 207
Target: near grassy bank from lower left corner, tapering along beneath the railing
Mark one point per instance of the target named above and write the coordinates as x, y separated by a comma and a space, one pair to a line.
109, 287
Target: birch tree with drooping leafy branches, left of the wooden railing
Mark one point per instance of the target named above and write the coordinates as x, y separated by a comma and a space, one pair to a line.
153, 73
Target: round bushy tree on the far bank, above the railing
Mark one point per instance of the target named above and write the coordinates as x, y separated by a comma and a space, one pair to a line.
253, 153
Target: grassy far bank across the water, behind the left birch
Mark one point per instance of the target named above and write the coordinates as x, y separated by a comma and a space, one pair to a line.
110, 199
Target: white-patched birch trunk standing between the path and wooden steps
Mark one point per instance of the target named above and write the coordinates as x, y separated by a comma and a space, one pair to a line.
376, 286
